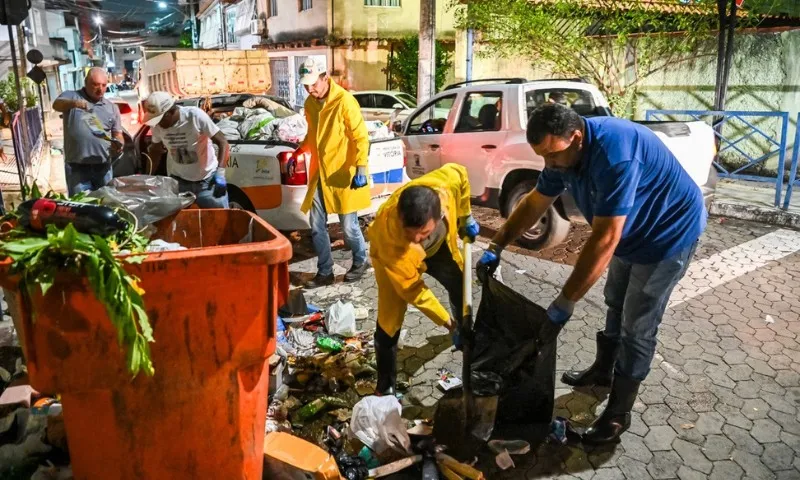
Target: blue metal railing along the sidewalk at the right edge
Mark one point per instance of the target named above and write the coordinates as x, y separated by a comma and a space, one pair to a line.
737, 128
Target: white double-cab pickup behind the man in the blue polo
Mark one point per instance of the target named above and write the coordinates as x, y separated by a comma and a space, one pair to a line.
482, 124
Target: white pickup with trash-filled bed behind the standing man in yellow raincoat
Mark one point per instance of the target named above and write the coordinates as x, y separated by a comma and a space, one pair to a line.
269, 178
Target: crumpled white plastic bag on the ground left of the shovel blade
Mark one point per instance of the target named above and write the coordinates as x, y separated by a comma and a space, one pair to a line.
378, 423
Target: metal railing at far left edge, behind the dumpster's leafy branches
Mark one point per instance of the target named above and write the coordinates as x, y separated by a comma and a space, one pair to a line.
28, 143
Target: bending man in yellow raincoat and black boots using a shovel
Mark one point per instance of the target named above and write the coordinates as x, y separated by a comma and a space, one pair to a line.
414, 232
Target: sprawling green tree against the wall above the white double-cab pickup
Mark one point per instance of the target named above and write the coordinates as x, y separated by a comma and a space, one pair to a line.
614, 44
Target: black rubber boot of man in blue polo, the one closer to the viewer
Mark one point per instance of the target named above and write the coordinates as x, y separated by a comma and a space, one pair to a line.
616, 418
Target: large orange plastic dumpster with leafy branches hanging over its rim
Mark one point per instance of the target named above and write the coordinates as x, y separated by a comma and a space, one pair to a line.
213, 309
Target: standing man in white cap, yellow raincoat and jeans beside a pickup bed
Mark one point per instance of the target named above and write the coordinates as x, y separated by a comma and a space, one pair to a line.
339, 145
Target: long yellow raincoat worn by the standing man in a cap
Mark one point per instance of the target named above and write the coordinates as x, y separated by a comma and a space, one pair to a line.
338, 142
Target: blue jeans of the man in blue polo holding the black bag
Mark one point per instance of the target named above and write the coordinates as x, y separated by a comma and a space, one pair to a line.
637, 297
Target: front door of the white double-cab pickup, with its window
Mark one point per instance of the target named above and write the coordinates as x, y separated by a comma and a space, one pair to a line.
424, 134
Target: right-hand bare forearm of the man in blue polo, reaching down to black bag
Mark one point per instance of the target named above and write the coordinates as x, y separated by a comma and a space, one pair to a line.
595, 256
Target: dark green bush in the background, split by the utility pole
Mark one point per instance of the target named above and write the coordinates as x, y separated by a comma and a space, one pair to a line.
403, 67
